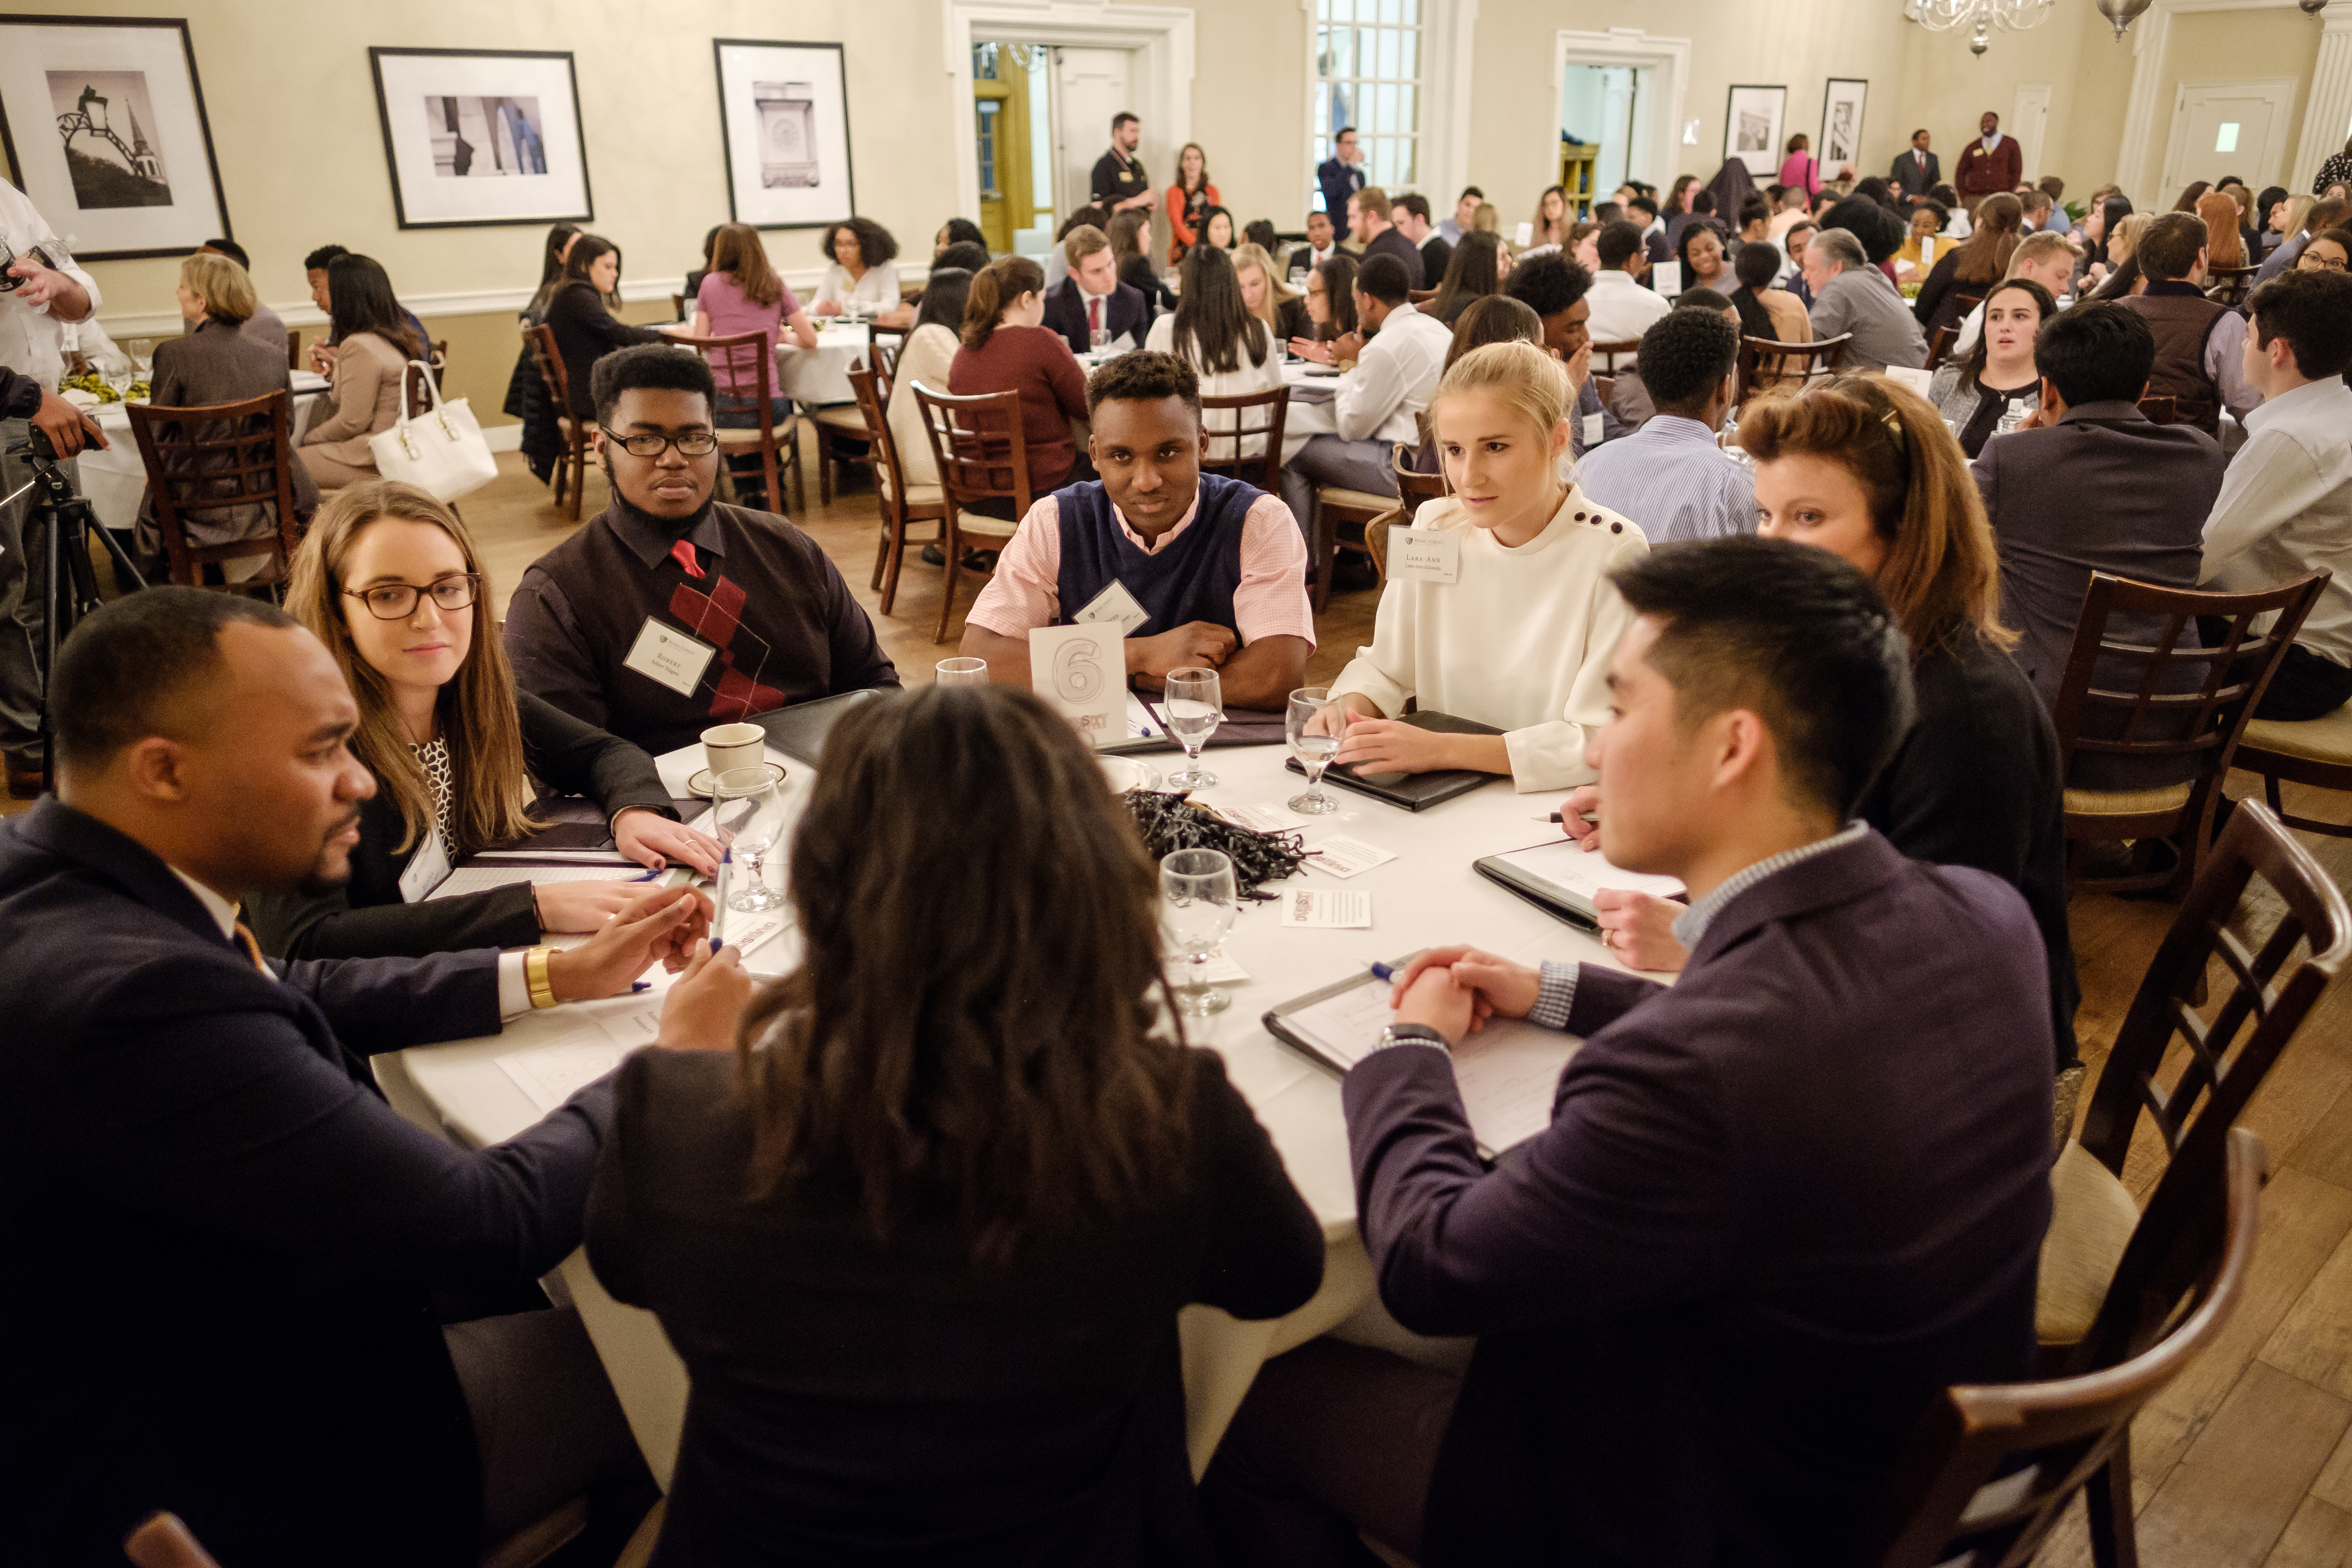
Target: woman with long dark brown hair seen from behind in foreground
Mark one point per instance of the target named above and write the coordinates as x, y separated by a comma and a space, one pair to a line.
923, 1242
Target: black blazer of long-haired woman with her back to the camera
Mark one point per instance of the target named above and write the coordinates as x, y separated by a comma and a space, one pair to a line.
897, 1402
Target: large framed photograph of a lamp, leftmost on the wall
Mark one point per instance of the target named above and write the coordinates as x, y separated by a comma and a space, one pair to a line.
105, 130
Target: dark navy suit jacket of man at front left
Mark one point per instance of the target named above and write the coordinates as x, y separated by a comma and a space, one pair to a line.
222, 1240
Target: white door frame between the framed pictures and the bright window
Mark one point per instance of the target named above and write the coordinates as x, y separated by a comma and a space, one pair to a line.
1161, 39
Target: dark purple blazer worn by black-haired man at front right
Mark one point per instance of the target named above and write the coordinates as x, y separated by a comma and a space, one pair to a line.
1720, 1289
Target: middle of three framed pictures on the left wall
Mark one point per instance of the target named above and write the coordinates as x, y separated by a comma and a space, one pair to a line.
483, 138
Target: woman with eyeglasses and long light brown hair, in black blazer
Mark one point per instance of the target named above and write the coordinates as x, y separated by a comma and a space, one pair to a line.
392, 584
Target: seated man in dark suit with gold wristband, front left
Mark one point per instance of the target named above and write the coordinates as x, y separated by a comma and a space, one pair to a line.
232, 1257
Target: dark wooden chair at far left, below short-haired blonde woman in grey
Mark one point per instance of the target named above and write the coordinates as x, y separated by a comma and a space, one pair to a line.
220, 460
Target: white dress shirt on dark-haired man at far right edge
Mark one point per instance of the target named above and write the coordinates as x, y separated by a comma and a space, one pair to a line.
2285, 509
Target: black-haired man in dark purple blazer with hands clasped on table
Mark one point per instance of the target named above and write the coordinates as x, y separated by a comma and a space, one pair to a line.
1779, 1207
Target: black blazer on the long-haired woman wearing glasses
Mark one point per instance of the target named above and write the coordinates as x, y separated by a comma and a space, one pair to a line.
366, 918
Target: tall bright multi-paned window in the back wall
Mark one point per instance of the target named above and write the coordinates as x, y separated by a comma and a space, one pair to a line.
1370, 62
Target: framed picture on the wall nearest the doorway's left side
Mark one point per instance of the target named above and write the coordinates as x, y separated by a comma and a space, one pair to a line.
784, 121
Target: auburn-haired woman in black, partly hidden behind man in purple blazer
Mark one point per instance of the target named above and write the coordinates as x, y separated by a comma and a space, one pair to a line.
1866, 469
